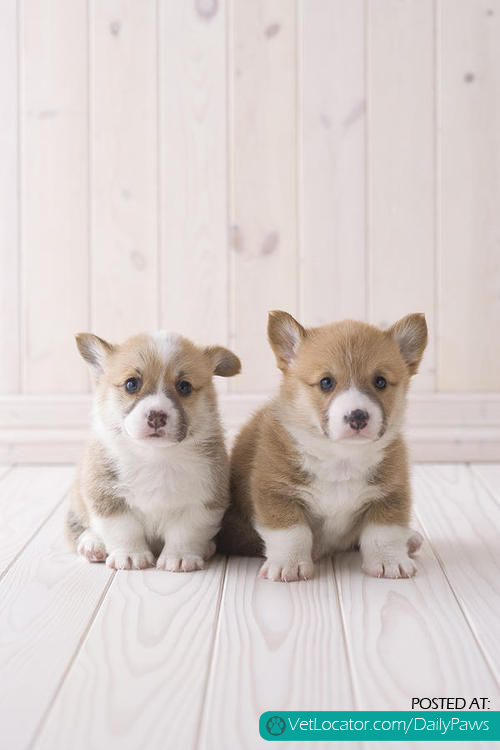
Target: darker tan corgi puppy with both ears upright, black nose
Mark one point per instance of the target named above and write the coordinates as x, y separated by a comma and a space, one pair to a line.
323, 466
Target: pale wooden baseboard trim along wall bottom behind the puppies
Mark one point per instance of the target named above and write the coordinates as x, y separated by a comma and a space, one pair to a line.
441, 427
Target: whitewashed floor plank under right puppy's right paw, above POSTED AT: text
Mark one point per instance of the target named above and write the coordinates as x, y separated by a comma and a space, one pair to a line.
408, 638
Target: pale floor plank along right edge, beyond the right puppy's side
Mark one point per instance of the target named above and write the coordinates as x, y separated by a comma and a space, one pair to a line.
461, 519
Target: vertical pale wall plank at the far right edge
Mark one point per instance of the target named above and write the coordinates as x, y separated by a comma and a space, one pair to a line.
469, 153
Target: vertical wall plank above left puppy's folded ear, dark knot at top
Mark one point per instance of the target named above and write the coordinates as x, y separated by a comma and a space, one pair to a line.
193, 164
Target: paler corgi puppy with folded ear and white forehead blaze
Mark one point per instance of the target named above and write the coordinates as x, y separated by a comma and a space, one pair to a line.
154, 478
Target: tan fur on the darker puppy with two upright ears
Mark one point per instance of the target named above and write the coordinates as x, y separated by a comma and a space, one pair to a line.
269, 484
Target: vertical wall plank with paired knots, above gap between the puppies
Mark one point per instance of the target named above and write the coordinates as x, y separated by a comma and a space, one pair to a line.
263, 205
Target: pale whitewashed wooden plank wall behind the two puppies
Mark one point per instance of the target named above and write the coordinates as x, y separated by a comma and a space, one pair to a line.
191, 164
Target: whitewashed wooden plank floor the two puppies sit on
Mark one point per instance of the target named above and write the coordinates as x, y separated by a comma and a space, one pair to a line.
152, 660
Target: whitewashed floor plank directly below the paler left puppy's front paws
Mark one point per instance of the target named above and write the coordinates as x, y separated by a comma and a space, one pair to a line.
139, 680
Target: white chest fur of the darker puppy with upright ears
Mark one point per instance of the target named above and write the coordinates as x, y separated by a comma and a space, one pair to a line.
335, 496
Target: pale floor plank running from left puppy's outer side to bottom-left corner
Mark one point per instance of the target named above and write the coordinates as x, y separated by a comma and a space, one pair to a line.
47, 600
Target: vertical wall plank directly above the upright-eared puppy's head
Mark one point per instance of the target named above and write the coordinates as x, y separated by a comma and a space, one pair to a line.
332, 160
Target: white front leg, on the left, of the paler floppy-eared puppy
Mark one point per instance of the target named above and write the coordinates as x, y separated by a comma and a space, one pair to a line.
123, 535
